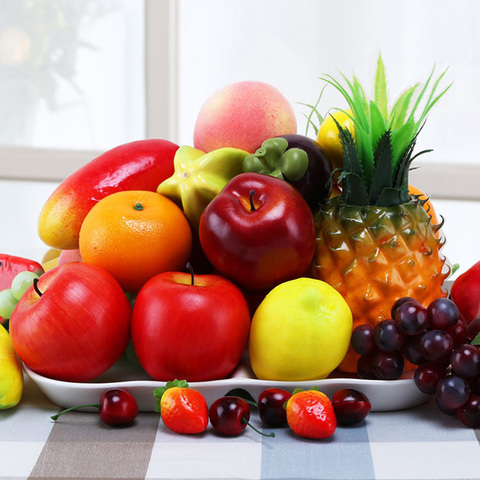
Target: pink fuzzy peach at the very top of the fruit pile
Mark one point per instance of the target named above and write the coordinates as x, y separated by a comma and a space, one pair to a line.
243, 115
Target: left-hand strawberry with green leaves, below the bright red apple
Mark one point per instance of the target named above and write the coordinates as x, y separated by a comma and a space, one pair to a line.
183, 409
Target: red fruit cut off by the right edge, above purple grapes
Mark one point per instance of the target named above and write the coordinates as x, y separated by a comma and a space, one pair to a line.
465, 292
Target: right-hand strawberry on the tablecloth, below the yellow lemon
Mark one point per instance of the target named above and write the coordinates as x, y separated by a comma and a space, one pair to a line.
310, 414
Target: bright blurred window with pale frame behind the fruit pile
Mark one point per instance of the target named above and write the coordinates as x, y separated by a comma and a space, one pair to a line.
78, 77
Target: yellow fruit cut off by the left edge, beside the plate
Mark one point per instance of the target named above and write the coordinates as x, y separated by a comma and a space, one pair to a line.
11, 375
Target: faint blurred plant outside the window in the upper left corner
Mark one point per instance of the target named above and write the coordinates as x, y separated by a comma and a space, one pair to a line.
40, 41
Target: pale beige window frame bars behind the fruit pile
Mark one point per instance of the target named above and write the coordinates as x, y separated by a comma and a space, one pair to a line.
440, 180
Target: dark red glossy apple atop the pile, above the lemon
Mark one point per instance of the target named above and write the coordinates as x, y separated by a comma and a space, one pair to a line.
259, 231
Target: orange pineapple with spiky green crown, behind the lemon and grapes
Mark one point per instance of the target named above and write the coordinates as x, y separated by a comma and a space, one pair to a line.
375, 242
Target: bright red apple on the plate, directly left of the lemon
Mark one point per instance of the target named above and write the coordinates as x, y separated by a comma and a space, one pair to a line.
194, 331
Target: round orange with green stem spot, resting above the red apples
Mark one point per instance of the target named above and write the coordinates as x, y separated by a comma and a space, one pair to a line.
135, 235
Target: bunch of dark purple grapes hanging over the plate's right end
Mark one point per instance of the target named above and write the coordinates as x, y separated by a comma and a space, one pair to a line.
438, 342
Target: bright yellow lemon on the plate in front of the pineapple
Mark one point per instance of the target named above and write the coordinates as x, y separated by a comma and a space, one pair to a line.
300, 331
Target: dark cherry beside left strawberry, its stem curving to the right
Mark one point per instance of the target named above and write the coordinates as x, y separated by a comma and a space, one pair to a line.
230, 416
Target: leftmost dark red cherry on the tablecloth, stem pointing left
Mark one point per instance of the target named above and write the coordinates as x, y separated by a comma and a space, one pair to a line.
117, 407
